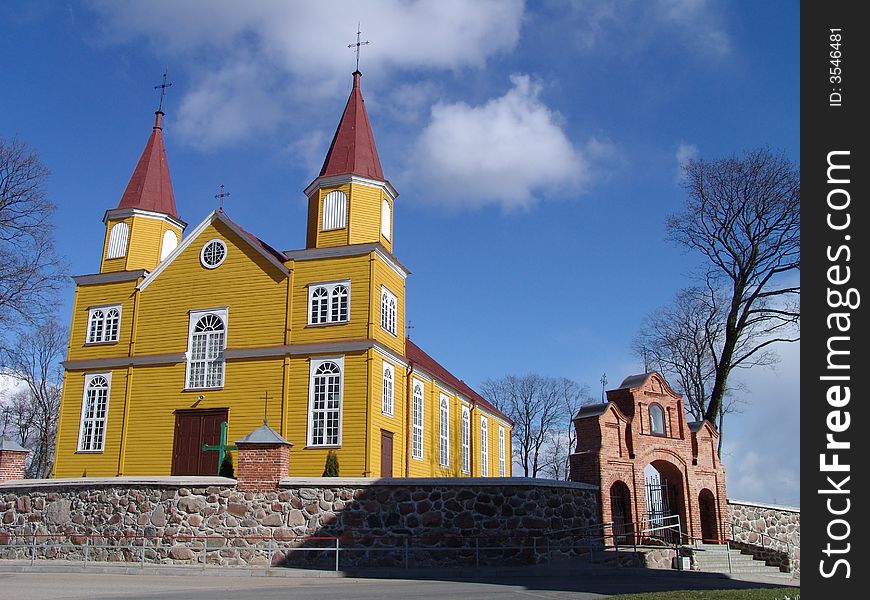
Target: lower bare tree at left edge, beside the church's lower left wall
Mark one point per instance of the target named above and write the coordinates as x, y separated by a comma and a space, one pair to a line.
33, 411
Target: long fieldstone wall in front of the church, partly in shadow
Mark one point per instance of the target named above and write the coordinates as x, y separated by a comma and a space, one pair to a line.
208, 520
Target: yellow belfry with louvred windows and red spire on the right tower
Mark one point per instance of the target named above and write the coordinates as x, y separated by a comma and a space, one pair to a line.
351, 202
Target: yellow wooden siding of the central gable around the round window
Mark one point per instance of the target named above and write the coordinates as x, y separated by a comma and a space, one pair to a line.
253, 289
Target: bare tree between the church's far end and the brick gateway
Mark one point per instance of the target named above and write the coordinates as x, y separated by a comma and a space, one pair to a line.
541, 408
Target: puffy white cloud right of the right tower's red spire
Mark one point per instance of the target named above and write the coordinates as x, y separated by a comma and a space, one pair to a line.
507, 152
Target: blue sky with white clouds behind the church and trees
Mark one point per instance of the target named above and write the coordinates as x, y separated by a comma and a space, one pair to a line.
536, 149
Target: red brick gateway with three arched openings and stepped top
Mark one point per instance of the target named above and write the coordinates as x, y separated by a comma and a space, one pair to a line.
649, 463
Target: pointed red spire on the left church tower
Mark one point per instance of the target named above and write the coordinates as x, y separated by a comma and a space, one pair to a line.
150, 187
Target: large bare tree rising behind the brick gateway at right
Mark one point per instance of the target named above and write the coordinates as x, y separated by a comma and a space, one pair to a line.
743, 216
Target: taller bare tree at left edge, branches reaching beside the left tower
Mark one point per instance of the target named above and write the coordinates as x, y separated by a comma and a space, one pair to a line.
30, 271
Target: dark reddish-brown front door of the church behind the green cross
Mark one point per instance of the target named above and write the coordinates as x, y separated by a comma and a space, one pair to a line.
194, 429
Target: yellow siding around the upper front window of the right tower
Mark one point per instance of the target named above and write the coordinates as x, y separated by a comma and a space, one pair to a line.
355, 268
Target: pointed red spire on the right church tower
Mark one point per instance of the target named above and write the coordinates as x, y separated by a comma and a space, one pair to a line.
353, 147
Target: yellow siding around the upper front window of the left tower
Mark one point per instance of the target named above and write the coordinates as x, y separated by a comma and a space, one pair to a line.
88, 296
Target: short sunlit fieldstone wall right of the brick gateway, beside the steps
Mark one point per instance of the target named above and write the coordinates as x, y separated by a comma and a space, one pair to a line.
781, 528
